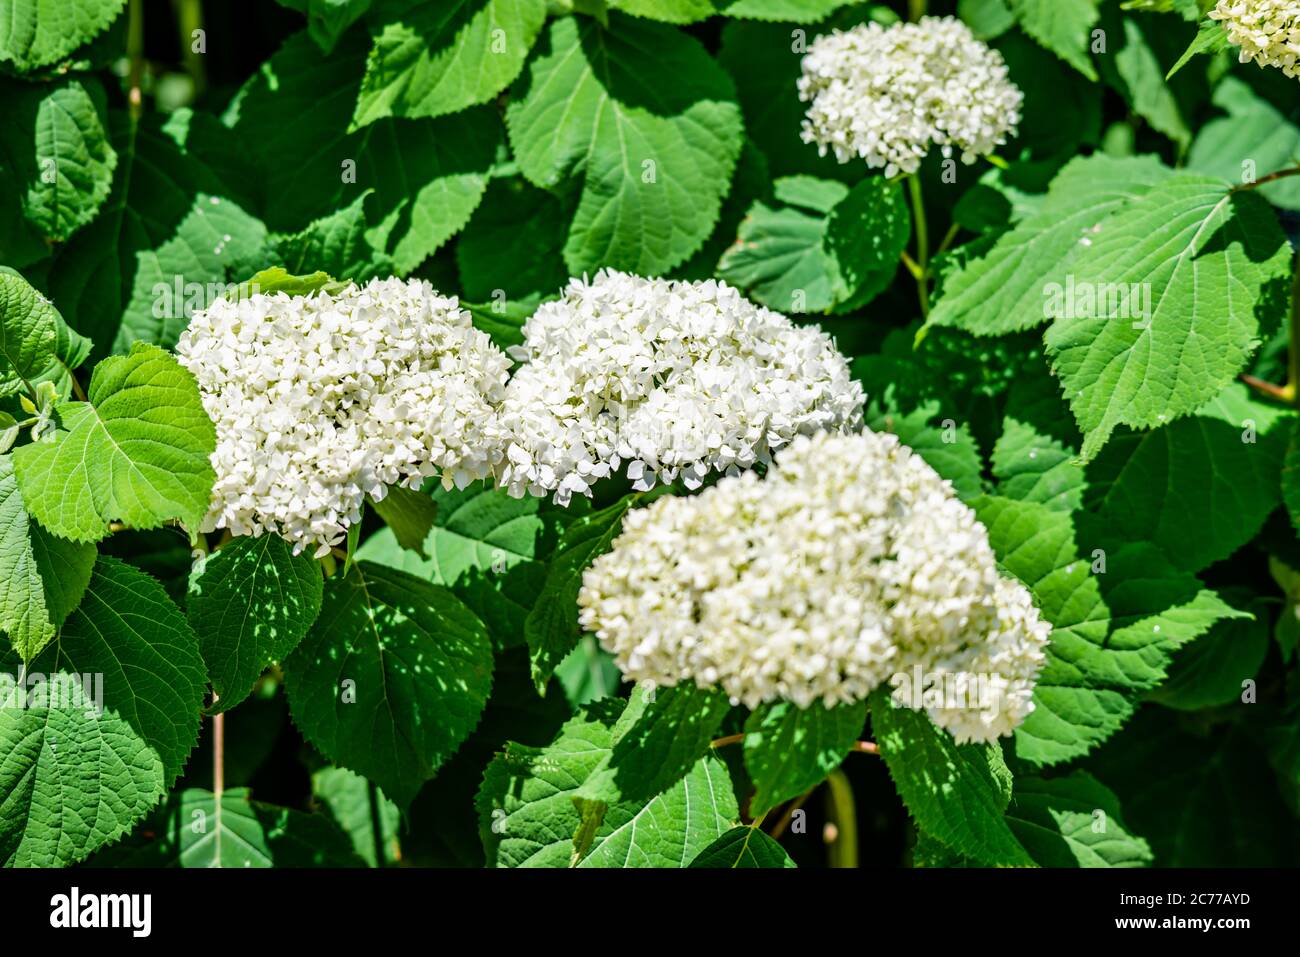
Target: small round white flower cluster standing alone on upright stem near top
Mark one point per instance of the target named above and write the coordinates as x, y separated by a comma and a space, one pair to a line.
889, 96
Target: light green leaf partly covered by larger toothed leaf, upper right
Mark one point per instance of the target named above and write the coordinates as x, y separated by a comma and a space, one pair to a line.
1006, 291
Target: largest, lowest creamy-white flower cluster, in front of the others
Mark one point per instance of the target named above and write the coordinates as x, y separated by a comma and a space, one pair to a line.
850, 565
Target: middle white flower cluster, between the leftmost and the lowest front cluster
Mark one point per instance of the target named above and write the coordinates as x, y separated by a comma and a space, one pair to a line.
674, 379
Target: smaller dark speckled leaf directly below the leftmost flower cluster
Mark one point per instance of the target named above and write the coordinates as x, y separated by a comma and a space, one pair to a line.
250, 608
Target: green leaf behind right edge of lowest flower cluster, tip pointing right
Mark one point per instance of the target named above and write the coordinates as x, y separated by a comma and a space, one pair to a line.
1115, 630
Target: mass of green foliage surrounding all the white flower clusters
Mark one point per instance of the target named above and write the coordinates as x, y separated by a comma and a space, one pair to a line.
1087, 335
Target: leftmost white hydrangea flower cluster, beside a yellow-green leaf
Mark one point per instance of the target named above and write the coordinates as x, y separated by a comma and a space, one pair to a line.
324, 400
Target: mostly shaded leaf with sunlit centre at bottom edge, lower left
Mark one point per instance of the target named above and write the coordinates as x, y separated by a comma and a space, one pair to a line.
194, 832
